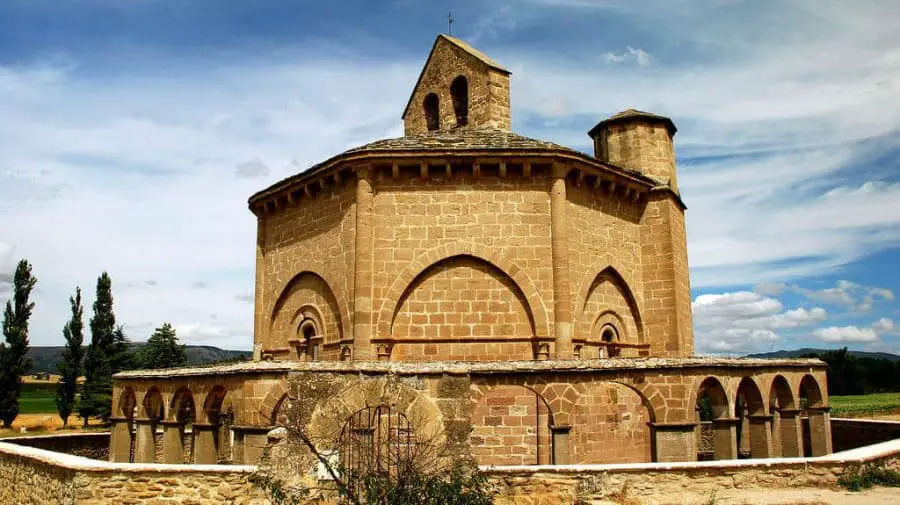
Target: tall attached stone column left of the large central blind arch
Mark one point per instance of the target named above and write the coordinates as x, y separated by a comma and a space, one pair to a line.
363, 283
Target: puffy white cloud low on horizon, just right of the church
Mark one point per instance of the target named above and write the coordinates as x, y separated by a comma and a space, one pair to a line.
745, 321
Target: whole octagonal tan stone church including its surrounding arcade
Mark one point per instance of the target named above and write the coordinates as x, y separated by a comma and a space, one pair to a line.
524, 302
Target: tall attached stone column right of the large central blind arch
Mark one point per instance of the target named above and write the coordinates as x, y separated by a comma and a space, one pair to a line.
559, 244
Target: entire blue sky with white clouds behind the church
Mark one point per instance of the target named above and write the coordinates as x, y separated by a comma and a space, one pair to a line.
132, 133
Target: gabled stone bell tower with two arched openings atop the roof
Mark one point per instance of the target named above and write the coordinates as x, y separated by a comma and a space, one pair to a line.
459, 87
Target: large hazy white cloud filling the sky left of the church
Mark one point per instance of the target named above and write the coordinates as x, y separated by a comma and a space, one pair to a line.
138, 179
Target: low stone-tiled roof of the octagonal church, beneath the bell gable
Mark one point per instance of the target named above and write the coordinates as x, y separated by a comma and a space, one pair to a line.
451, 142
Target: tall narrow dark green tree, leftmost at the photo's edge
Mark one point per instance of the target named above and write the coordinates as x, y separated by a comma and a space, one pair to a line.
14, 362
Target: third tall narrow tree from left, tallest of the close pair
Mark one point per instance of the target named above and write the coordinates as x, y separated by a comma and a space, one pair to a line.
96, 394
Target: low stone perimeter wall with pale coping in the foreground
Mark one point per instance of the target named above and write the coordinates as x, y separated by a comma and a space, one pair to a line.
31, 476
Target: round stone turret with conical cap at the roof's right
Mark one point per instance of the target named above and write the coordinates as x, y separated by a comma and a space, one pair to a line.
639, 141
